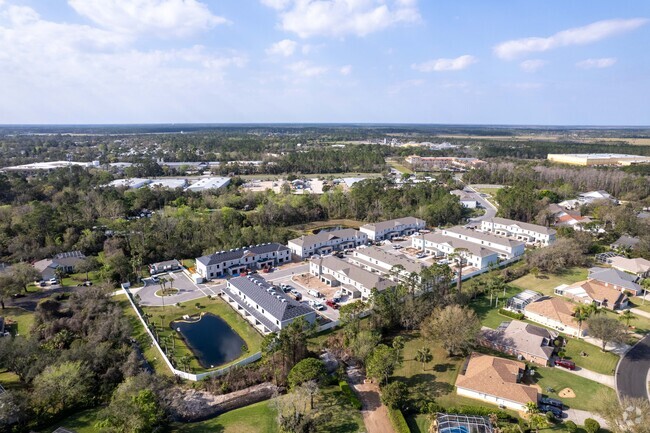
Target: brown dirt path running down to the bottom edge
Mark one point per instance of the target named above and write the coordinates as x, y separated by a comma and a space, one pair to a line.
375, 414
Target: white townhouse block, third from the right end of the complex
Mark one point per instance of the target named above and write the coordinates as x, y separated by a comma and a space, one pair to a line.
440, 245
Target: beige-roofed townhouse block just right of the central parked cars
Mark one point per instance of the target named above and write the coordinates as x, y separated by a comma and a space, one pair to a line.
352, 280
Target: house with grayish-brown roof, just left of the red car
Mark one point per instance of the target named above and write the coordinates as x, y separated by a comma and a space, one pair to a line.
521, 339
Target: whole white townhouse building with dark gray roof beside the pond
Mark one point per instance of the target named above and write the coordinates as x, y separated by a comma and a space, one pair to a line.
267, 310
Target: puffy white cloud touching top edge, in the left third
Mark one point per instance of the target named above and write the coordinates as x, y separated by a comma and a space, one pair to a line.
161, 17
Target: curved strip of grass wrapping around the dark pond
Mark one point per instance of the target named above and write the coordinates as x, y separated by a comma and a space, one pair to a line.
162, 317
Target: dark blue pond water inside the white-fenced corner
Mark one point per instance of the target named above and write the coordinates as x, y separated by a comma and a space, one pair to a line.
211, 340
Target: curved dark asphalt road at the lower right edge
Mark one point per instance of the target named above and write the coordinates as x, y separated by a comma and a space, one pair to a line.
632, 371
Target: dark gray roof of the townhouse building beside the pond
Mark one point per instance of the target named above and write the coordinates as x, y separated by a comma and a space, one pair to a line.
258, 290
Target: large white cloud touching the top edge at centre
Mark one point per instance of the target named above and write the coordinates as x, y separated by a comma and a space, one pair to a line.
338, 18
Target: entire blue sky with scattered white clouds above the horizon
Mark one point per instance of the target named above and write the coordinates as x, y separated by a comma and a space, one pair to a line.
537, 62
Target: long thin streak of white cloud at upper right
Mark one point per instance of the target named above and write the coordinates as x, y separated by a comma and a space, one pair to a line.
576, 36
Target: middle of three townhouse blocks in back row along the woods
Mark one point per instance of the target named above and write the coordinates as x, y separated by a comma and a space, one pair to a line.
325, 242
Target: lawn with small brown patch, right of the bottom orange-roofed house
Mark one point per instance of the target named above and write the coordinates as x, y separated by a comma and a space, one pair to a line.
586, 390
